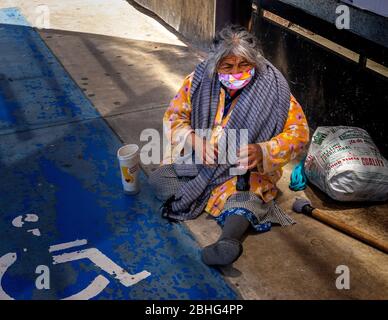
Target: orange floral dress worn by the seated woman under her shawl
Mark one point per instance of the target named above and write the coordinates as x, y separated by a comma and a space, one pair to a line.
276, 152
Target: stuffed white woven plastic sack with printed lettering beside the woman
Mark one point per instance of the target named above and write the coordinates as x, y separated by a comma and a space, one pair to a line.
345, 164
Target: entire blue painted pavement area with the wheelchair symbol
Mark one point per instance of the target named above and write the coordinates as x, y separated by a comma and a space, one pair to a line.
58, 163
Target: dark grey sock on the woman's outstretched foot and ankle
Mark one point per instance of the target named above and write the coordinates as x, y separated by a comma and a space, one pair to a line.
228, 247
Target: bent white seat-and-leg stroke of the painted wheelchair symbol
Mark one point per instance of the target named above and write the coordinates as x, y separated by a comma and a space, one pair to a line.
102, 261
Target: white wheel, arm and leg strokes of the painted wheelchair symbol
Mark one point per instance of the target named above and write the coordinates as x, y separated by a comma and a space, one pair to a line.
94, 255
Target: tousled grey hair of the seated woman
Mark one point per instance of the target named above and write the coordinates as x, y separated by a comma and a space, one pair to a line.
238, 41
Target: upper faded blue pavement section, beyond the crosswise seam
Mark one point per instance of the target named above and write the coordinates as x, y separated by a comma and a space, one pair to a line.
35, 90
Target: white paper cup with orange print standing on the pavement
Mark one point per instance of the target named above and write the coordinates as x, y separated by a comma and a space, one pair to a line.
129, 159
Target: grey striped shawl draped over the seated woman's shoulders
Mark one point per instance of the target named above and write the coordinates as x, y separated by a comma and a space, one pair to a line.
262, 108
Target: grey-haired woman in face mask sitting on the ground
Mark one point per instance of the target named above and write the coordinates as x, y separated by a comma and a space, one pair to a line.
234, 88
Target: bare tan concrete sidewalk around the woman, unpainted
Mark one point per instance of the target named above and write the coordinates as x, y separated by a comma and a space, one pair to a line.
130, 67
